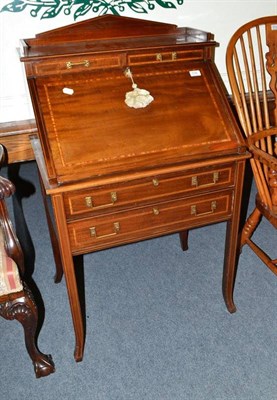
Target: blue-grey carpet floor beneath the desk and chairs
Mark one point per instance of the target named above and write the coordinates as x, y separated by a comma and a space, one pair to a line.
157, 326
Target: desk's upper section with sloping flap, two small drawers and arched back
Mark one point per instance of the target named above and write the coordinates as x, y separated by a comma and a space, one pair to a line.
81, 88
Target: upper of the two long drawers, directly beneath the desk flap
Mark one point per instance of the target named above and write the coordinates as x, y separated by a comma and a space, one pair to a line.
146, 190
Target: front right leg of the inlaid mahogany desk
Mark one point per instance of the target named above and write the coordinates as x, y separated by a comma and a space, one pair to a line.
232, 247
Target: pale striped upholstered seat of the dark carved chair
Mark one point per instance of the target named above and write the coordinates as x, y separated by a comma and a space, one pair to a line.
10, 281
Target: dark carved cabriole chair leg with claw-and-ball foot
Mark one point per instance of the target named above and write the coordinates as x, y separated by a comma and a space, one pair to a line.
21, 307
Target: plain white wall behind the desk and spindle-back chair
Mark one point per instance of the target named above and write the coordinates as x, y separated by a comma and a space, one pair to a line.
220, 17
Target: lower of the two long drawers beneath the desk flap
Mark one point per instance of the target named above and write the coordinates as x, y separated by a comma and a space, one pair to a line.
149, 221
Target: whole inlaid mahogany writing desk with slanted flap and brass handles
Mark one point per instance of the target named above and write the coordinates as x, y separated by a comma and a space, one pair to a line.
116, 173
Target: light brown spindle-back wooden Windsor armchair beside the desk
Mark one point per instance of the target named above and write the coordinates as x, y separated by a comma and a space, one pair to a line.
251, 61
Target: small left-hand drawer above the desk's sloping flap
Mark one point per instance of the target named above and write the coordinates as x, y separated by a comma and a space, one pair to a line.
76, 64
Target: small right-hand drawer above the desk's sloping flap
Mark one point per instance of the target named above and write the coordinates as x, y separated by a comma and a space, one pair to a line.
165, 56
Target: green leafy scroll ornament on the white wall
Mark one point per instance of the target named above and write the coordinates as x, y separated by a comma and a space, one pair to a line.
51, 8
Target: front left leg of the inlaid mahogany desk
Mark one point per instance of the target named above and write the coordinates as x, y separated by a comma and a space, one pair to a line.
69, 273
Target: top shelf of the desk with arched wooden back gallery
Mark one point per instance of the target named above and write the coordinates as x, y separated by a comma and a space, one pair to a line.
109, 33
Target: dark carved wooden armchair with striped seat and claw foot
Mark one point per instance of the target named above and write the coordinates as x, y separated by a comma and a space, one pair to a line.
16, 299
